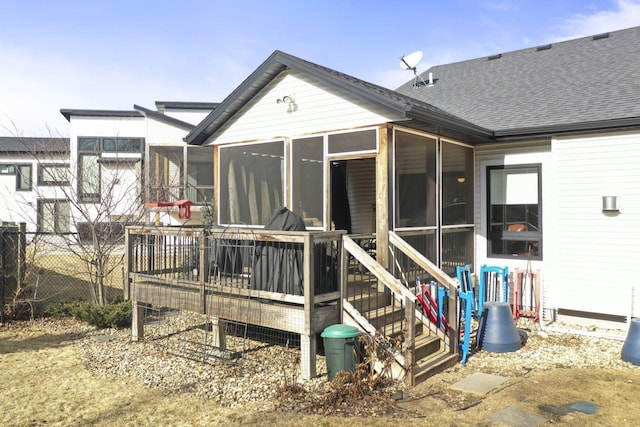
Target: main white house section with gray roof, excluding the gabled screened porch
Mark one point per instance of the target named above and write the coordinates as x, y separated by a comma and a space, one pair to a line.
563, 160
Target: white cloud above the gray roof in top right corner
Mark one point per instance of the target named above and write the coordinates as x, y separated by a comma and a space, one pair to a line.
625, 14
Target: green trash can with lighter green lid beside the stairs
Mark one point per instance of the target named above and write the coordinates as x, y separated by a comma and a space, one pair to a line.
340, 343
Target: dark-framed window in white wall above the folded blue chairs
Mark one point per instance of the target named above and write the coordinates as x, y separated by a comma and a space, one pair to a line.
514, 201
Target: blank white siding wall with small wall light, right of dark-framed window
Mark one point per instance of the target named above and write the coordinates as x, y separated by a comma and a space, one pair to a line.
598, 253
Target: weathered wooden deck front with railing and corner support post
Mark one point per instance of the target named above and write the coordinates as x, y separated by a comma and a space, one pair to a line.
291, 278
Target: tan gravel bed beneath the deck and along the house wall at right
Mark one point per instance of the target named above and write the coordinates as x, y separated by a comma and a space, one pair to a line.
266, 378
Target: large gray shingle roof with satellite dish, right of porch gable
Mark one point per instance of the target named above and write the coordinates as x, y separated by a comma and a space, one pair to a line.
588, 80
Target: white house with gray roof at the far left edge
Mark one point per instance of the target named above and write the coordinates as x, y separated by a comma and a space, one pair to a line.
32, 170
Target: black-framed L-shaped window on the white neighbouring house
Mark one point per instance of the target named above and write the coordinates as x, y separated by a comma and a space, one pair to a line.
91, 152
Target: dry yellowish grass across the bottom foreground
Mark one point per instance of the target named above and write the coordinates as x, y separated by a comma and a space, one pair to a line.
44, 382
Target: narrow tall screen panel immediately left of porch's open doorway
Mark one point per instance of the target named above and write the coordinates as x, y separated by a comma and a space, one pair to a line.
307, 172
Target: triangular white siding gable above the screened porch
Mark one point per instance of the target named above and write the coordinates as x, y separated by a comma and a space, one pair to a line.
318, 108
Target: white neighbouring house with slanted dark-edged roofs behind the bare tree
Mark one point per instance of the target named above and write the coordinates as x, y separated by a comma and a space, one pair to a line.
123, 158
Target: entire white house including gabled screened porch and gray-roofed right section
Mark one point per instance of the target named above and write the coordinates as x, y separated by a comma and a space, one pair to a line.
526, 159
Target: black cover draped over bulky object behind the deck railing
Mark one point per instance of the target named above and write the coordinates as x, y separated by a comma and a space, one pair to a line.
279, 265
